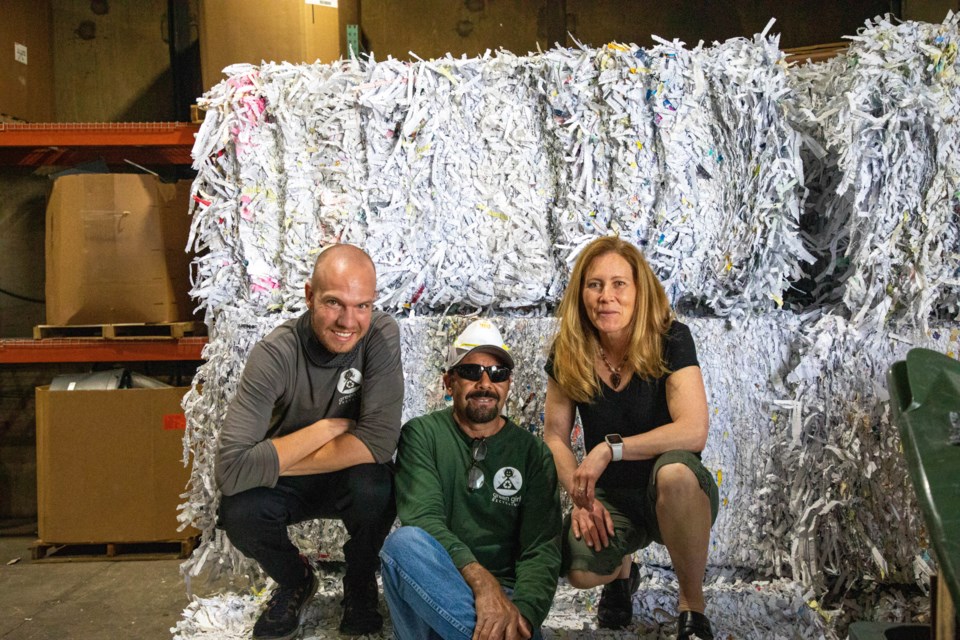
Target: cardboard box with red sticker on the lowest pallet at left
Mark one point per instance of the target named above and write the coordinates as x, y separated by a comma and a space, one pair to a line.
109, 465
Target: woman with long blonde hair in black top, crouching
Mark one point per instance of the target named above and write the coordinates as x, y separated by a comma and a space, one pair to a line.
630, 369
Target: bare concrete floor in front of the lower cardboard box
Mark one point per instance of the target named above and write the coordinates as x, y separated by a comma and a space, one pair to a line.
88, 600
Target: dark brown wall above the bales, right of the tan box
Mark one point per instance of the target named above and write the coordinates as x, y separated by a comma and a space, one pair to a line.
431, 28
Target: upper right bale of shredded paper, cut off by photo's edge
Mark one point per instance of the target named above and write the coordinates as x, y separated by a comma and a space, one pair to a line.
881, 125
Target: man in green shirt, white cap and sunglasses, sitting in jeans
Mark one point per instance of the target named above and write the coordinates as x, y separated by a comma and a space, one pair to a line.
479, 549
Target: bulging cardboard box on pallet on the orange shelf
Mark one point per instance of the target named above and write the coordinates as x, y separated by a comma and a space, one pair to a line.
115, 250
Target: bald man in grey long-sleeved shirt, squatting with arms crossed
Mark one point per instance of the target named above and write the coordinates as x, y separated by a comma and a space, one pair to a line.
310, 434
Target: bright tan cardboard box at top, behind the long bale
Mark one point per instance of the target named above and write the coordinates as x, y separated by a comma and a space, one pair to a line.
233, 31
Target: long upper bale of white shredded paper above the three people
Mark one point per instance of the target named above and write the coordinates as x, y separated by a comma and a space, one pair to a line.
474, 182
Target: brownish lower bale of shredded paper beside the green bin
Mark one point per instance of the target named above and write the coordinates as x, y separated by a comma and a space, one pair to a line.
837, 475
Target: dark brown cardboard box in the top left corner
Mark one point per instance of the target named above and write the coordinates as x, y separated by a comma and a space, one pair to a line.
26, 60
